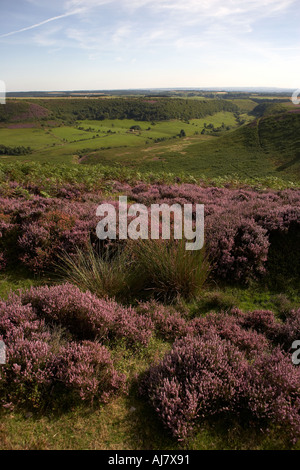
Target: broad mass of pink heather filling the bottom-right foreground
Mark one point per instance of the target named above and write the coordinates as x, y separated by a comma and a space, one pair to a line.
234, 363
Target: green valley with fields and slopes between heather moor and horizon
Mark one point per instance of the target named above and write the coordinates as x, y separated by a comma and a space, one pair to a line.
251, 140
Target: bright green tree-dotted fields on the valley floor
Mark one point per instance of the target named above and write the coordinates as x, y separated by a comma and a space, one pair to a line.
62, 143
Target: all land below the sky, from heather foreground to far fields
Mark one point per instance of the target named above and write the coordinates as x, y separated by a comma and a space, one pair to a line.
105, 328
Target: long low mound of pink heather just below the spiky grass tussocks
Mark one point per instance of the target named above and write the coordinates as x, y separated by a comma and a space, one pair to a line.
86, 316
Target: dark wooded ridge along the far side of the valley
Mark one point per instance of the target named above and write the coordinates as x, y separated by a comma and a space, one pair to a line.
140, 109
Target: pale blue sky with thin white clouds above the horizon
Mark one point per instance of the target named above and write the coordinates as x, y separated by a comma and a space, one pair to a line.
122, 44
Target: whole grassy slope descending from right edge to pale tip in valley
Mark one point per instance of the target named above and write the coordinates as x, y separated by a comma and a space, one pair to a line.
266, 147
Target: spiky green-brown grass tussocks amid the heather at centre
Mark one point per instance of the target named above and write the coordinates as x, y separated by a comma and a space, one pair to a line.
160, 268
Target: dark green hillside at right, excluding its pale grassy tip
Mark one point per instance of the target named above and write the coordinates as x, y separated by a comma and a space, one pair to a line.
266, 147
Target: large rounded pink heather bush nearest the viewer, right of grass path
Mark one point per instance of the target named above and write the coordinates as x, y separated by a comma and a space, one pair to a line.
198, 378
